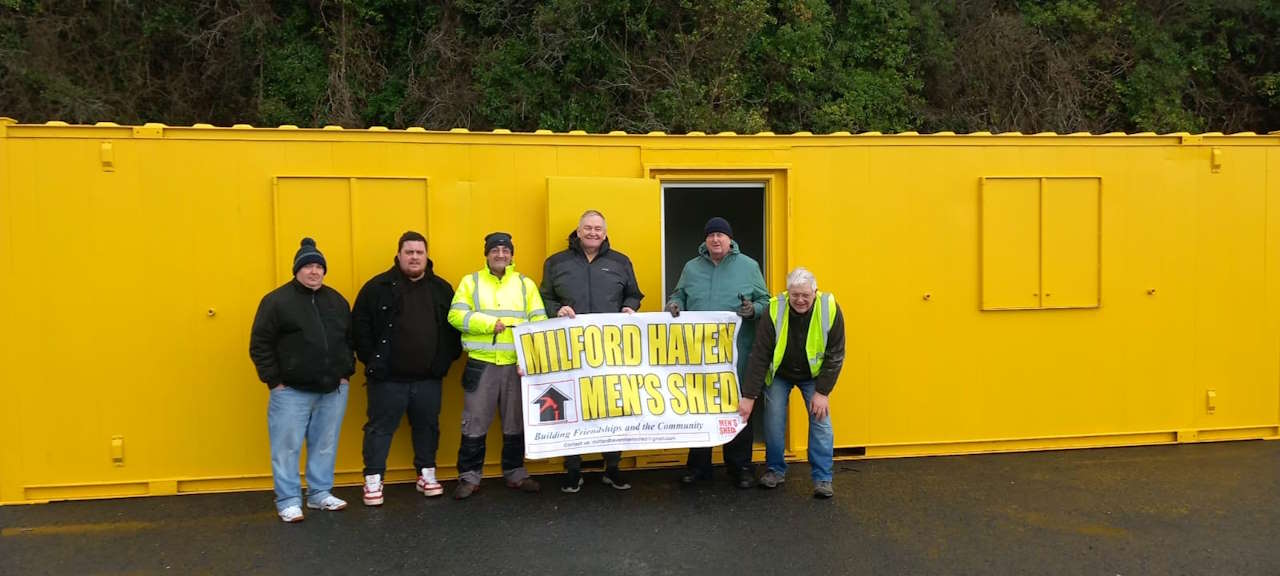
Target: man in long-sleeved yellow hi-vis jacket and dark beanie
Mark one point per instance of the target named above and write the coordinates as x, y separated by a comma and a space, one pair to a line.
488, 303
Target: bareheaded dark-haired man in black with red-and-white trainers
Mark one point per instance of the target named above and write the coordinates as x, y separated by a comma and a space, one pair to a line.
405, 340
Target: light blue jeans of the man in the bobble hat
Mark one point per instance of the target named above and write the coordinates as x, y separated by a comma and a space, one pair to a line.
296, 415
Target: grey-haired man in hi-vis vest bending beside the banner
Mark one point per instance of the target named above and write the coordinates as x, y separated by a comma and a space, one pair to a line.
801, 345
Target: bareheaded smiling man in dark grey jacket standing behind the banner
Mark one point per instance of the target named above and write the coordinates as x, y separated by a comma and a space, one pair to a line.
591, 278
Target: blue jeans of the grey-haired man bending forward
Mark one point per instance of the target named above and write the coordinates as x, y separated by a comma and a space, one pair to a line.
821, 437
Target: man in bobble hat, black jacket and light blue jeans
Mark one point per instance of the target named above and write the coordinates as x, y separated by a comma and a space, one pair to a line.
300, 348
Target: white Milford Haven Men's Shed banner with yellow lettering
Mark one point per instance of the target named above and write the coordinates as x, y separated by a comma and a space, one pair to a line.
629, 382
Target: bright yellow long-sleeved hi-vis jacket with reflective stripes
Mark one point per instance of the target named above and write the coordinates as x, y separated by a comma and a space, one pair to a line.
484, 299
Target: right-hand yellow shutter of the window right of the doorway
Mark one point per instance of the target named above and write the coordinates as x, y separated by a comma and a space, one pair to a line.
1069, 243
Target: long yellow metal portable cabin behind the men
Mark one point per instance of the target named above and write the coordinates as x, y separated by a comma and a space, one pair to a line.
1003, 292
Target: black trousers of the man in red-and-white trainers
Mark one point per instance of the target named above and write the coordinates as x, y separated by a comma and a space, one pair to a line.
388, 403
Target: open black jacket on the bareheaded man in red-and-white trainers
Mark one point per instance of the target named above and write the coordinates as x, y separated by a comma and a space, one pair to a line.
374, 323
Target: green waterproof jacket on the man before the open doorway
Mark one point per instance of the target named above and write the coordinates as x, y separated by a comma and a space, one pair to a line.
706, 286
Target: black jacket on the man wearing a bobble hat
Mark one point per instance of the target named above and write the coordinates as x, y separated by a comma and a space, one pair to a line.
301, 339
